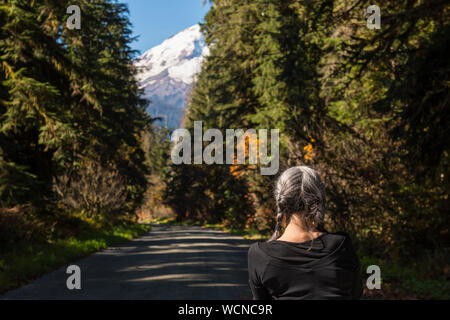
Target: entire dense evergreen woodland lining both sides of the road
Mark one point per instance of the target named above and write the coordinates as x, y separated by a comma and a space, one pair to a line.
369, 109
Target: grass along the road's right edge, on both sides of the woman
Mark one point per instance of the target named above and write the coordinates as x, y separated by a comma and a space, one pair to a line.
397, 281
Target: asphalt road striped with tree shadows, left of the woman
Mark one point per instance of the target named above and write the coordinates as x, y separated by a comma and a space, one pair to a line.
170, 262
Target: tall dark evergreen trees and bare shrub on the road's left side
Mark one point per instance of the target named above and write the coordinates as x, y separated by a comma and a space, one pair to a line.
71, 117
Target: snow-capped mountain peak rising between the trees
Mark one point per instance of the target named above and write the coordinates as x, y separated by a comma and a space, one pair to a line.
167, 71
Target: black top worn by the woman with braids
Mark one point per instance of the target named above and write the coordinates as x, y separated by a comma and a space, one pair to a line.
324, 268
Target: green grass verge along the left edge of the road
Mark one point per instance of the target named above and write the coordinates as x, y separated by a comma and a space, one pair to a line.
27, 261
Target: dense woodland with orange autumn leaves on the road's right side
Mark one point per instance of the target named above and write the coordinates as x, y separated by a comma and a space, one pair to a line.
369, 109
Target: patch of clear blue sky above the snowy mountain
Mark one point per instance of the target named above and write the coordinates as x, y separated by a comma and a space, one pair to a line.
156, 20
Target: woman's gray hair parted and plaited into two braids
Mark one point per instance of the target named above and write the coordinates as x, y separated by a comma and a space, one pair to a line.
300, 191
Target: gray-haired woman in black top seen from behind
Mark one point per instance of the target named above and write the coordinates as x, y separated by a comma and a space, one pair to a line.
305, 261
